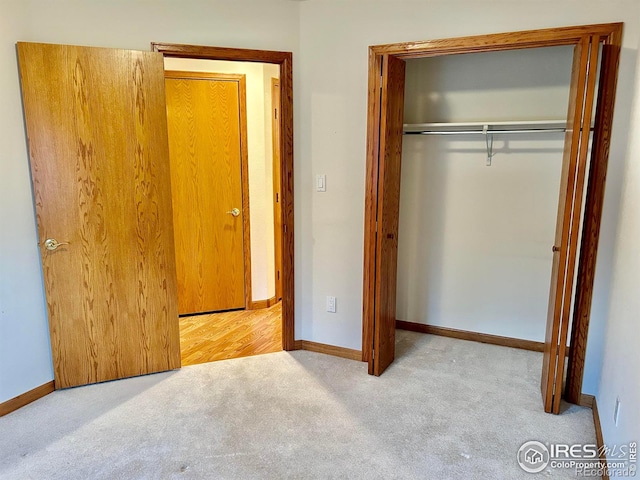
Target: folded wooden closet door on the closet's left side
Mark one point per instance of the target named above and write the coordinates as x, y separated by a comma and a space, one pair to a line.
391, 120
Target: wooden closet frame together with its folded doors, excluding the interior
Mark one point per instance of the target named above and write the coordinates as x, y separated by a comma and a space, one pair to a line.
385, 127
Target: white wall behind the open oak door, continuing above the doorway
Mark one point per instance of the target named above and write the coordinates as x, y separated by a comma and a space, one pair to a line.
25, 359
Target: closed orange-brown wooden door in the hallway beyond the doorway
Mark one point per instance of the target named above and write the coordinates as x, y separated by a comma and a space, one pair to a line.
206, 113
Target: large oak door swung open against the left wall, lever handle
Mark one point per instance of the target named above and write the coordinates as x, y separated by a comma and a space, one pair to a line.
97, 134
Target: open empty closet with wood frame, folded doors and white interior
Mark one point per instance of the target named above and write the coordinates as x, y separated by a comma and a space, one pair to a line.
501, 148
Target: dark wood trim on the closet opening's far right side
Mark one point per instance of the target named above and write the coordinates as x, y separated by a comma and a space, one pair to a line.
593, 212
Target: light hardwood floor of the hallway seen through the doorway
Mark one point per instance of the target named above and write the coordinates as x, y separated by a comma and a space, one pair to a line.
220, 336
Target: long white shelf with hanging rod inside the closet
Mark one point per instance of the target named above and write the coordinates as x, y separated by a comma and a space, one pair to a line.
484, 128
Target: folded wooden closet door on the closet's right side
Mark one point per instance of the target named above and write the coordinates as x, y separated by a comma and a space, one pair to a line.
565, 248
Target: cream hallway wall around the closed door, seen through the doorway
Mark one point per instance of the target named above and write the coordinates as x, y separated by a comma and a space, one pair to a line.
258, 90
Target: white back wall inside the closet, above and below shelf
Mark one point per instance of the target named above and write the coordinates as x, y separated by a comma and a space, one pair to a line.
475, 241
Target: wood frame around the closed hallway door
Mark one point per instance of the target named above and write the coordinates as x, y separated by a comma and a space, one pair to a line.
241, 79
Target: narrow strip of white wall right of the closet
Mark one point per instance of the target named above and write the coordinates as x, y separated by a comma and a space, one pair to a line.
620, 377
